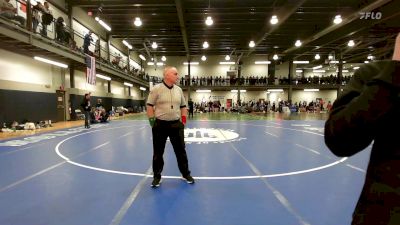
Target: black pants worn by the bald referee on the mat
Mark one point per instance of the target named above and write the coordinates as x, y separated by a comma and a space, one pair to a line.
174, 130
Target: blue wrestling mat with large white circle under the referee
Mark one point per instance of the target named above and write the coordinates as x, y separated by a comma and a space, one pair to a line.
276, 172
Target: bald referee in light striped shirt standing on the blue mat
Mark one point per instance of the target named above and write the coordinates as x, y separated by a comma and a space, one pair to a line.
166, 105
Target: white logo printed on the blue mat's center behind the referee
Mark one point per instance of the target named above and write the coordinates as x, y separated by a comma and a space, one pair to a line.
210, 135
